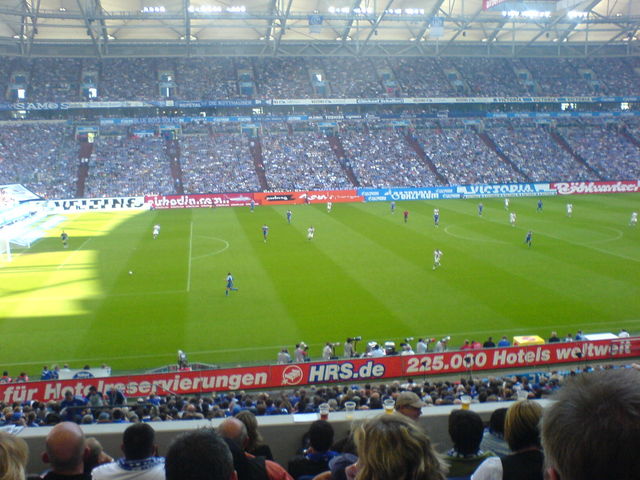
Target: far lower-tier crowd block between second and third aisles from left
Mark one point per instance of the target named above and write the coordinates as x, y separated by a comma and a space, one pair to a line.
219, 163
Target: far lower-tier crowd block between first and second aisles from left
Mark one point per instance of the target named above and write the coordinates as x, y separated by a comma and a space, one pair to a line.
129, 166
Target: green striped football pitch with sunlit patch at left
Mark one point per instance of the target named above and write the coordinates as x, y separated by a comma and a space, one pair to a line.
365, 273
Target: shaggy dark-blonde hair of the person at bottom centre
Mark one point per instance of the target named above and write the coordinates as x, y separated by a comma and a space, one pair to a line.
392, 447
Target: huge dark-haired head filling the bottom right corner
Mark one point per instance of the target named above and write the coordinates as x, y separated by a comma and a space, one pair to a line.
587, 432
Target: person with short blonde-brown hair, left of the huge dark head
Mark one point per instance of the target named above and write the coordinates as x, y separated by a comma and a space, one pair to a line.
523, 436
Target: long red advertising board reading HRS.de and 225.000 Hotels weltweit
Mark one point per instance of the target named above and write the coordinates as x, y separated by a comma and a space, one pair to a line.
309, 373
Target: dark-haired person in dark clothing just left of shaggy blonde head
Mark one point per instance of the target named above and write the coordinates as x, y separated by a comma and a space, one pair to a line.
315, 459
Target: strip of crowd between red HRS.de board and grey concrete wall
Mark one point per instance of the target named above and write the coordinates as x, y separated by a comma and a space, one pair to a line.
113, 407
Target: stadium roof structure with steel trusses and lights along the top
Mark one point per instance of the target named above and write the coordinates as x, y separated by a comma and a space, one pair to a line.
117, 28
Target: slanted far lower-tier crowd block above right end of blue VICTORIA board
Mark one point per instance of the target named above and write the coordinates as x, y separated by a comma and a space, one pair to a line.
538, 155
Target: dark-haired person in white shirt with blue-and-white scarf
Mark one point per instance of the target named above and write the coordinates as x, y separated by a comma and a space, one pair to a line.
140, 460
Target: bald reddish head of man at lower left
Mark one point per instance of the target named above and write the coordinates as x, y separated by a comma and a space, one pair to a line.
66, 449
